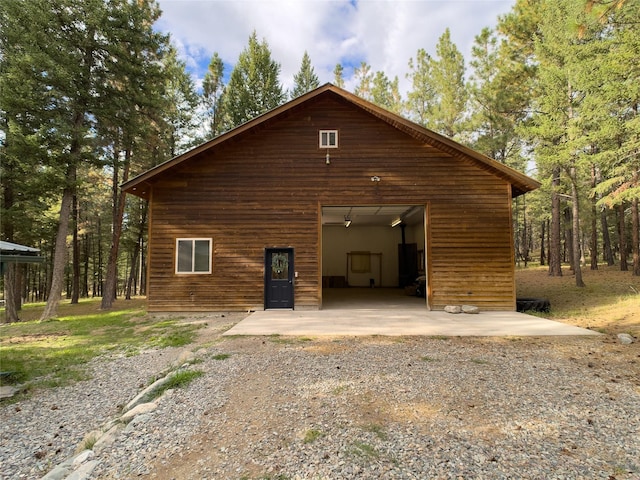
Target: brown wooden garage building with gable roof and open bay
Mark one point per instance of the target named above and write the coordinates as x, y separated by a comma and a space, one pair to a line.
328, 191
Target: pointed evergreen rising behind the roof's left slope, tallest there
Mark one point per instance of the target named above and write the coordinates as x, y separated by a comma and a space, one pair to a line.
254, 87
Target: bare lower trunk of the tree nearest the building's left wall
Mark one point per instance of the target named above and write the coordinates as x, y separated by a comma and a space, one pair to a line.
110, 284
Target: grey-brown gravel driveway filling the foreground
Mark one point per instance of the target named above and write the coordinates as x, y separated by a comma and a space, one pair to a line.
347, 407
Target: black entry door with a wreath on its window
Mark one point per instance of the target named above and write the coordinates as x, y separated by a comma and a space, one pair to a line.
278, 279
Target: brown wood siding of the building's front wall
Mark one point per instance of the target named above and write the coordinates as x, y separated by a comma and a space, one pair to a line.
265, 187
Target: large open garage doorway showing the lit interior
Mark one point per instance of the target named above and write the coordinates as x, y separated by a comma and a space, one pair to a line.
374, 256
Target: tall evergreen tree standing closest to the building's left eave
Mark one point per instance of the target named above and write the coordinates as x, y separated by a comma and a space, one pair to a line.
134, 86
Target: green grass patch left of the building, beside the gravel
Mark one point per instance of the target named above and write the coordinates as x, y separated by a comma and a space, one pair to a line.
53, 353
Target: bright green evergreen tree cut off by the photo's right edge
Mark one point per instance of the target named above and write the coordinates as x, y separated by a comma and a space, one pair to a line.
612, 77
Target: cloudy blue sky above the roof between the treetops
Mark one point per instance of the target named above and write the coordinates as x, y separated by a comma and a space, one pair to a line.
385, 34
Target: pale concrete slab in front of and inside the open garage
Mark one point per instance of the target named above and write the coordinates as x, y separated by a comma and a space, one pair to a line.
386, 311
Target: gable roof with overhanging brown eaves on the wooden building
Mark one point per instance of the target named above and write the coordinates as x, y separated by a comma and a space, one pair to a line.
521, 183
